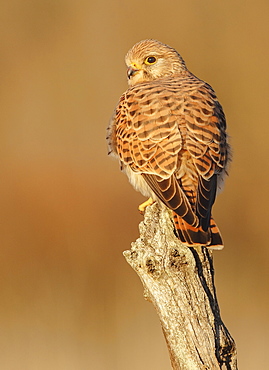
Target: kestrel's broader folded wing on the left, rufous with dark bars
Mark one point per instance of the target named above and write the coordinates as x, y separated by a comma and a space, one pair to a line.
148, 140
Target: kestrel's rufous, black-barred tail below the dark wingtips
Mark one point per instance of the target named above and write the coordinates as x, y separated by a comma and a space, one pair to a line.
196, 236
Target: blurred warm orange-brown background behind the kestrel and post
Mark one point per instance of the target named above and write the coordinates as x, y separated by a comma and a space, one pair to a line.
68, 298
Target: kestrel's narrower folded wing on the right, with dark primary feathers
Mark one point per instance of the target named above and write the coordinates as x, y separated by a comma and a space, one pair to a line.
207, 144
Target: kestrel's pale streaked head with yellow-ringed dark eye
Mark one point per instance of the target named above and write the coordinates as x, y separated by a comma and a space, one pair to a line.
149, 60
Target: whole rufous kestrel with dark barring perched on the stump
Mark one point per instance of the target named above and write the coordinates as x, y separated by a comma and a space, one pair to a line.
169, 134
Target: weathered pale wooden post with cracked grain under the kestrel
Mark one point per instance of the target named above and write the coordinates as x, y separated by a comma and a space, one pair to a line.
179, 281
